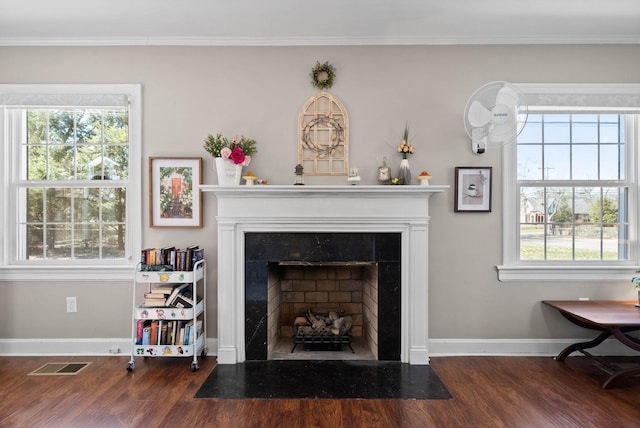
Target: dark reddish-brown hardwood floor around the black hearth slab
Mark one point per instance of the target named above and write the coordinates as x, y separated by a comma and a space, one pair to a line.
488, 392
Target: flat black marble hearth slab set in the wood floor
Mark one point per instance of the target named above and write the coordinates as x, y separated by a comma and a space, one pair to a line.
372, 380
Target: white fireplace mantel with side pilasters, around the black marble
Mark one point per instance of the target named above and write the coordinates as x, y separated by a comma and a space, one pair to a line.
381, 209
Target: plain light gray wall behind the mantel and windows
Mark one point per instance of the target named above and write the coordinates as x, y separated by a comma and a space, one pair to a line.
189, 92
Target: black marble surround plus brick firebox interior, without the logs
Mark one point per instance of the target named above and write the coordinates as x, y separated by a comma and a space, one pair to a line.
357, 274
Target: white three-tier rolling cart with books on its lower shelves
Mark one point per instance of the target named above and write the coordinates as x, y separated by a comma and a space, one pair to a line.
169, 320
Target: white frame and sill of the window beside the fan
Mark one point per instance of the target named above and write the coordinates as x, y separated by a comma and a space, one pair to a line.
625, 97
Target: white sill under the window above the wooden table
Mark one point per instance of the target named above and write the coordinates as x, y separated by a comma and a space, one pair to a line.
565, 273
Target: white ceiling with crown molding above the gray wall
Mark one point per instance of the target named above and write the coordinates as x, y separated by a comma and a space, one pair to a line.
309, 22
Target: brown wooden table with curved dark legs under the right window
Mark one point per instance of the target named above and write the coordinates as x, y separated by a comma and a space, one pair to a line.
613, 318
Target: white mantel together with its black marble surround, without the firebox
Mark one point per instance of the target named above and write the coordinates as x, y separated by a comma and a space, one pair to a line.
367, 215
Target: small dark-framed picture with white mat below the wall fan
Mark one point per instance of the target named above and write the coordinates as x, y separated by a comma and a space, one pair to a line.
473, 189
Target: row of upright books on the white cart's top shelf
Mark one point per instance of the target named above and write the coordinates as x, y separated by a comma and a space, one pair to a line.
170, 258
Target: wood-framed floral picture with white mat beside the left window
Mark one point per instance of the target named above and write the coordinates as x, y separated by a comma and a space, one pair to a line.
175, 198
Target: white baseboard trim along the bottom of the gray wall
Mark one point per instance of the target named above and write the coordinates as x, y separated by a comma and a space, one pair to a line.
437, 347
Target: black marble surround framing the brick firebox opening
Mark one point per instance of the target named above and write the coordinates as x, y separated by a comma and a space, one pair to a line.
265, 249
